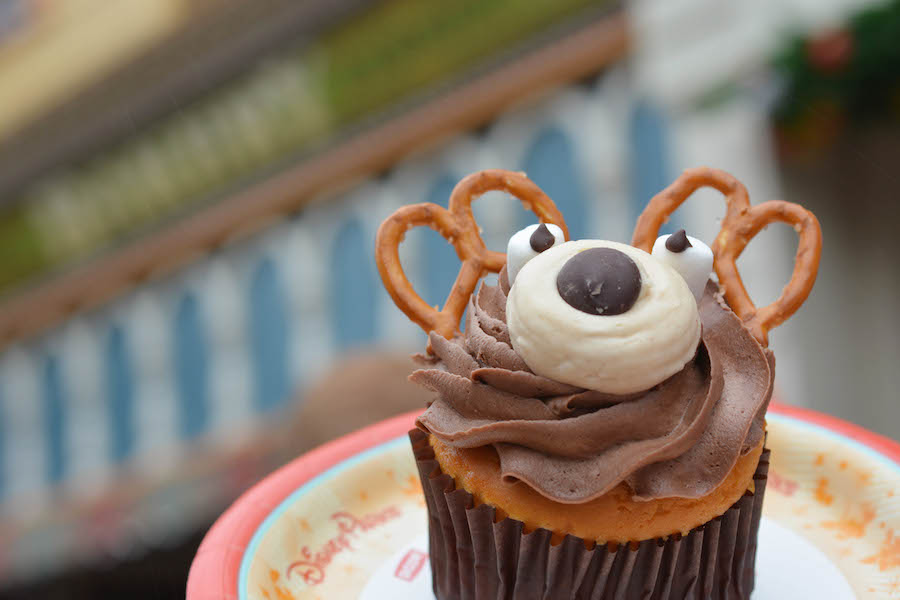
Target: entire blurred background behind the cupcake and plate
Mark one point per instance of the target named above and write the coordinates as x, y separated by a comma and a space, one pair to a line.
189, 193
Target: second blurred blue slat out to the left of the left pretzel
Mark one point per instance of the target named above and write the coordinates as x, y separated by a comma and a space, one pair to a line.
269, 337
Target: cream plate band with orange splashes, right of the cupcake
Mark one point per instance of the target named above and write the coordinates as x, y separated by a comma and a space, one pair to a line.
840, 494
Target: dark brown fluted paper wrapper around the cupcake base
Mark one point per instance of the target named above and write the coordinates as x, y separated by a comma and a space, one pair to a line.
474, 557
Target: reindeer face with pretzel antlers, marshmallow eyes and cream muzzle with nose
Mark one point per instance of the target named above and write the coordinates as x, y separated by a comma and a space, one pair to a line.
597, 314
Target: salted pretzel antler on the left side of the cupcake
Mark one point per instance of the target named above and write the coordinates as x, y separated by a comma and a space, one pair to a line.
457, 225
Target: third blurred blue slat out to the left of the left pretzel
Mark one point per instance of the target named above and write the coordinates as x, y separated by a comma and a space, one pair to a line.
191, 368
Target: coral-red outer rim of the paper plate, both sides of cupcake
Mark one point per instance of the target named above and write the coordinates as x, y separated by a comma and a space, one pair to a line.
214, 572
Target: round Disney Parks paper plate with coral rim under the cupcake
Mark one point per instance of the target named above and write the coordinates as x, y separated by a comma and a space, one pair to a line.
348, 520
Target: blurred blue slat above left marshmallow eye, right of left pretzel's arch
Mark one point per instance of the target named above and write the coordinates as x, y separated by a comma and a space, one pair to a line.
551, 163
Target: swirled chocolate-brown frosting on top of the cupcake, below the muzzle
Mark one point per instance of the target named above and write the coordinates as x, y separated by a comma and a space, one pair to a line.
678, 439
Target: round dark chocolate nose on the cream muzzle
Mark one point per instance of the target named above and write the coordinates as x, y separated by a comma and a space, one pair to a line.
600, 281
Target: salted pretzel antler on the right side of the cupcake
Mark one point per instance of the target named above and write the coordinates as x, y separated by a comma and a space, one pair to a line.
741, 223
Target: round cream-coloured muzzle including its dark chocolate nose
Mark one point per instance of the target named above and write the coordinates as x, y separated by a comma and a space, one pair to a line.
603, 316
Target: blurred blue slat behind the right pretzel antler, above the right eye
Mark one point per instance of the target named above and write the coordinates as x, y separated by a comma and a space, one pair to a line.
648, 154
